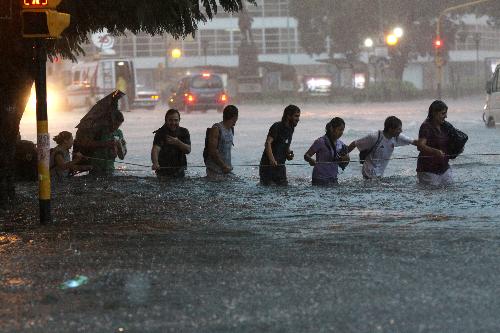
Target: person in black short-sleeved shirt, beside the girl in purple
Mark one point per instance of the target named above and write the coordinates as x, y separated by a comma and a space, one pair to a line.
272, 168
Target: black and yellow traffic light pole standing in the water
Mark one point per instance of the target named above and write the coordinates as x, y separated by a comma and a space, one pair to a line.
43, 138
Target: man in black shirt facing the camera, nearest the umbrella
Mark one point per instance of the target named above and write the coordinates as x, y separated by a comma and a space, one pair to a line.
171, 144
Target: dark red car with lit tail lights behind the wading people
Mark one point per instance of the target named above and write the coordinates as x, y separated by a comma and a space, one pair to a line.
199, 92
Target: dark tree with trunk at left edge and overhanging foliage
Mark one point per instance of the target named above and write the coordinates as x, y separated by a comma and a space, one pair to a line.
176, 17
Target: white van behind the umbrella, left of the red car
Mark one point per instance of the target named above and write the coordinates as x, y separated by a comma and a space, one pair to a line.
91, 81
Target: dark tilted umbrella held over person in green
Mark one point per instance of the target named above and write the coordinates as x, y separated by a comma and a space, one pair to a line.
100, 114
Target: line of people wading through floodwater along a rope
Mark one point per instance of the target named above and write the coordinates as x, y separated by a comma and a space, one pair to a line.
436, 143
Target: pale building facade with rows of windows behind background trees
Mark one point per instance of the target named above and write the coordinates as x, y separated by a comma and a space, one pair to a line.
276, 37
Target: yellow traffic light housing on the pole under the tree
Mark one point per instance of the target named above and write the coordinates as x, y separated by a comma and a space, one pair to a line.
41, 19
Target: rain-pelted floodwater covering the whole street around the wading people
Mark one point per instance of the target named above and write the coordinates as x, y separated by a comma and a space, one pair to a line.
204, 256
